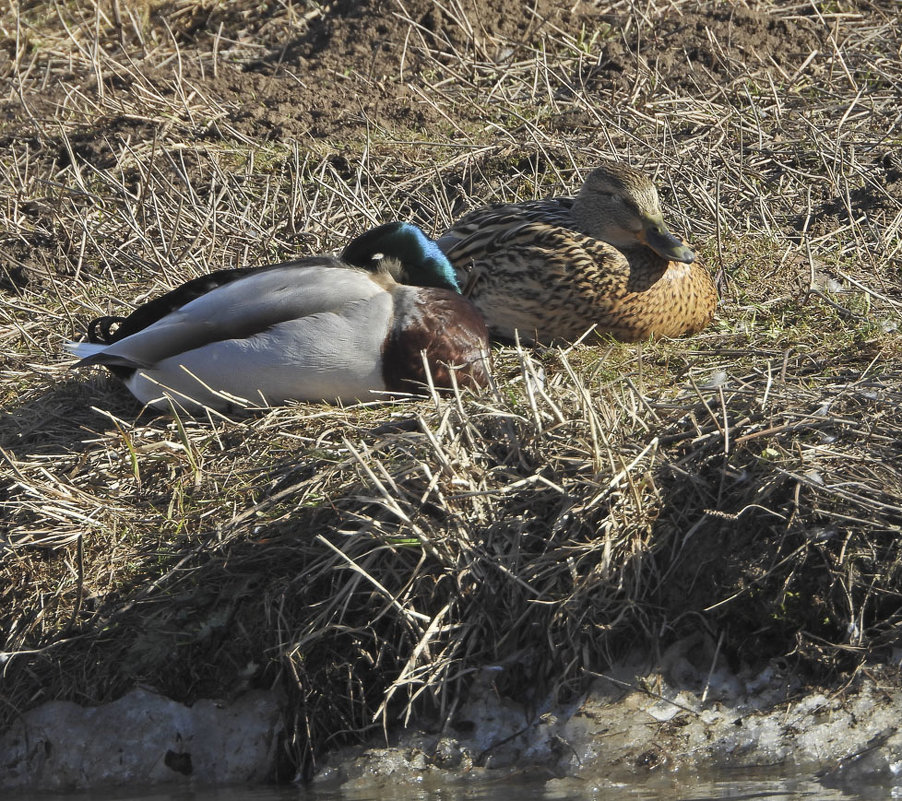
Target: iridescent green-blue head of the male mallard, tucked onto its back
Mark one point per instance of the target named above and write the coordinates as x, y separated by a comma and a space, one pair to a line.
416, 259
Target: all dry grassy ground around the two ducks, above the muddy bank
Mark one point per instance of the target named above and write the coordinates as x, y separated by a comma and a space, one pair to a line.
368, 562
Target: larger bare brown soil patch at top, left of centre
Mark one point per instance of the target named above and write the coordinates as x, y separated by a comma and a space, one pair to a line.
367, 65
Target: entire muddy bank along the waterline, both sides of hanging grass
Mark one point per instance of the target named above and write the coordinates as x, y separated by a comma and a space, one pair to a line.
632, 724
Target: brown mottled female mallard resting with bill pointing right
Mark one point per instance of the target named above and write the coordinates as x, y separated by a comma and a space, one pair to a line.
551, 269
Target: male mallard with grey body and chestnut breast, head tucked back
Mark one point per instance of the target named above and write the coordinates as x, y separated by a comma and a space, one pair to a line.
318, 328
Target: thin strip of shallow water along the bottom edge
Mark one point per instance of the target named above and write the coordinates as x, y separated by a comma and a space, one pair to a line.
669, 787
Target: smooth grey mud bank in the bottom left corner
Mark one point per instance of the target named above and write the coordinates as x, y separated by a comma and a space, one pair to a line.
141, 739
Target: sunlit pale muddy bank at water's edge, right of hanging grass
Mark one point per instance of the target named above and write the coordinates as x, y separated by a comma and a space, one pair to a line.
631, 726
